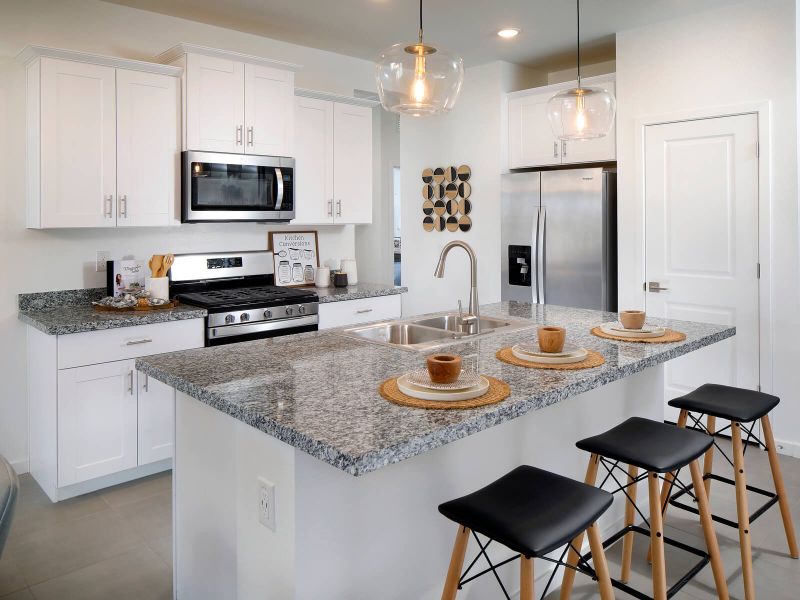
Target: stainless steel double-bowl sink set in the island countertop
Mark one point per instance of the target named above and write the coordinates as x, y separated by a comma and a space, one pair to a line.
426, 333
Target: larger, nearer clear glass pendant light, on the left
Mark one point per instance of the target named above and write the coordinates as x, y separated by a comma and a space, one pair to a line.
418, 79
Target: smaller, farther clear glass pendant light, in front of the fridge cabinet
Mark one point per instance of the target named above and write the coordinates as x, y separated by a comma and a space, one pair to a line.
581, 113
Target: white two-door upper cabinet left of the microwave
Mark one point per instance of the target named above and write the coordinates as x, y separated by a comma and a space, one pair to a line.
102, 140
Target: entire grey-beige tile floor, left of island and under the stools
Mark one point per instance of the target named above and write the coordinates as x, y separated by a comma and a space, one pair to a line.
117, 544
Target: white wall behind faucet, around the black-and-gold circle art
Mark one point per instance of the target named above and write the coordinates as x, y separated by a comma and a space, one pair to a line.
472, 134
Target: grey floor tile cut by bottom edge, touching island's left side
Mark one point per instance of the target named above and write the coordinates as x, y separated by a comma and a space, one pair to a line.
136, 575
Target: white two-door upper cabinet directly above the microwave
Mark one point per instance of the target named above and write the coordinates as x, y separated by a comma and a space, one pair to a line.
234, 102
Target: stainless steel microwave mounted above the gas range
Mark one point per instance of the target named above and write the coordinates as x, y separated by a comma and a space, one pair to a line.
236, 187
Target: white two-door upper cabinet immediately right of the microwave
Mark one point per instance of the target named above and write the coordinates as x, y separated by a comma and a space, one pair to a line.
333, 161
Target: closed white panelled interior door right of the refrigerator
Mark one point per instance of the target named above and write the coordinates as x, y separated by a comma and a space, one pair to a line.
701, 227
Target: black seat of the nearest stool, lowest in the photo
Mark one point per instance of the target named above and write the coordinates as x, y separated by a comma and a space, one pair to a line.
529, 510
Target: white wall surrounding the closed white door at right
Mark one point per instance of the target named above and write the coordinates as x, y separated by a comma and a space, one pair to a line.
741, 54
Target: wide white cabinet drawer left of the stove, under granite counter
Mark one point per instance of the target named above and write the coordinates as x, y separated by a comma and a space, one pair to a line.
93, 347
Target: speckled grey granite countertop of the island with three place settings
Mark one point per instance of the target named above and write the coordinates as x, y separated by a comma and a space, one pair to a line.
319, 391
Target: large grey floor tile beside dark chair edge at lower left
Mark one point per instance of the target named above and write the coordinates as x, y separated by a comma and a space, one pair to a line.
72, 545
